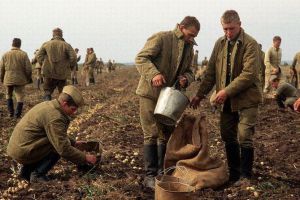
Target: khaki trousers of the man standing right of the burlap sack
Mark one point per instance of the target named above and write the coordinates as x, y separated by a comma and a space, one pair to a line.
238, 127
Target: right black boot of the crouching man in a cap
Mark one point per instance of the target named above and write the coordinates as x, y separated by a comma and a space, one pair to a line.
42, 168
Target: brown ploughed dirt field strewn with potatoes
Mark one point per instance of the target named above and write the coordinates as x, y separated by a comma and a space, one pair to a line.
111, 116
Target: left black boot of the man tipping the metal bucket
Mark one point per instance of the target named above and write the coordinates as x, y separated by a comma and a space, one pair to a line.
151, 160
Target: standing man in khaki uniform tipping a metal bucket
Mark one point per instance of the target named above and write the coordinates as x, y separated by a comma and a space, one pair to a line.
165, 59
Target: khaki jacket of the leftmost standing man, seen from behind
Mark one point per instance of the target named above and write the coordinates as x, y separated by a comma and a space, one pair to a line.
15, 68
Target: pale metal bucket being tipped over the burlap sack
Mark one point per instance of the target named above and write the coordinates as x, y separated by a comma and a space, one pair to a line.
170, 105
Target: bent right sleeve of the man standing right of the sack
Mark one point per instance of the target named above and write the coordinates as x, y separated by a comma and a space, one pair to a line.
249, 73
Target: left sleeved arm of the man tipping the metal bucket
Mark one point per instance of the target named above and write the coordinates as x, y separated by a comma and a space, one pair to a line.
143, 60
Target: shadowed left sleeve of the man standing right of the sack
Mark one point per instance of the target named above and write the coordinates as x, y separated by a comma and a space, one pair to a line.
209, 75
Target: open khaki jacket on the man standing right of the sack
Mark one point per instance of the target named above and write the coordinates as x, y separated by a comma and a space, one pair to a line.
244, 87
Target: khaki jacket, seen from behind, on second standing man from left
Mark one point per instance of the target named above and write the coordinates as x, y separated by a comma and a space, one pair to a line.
56, 57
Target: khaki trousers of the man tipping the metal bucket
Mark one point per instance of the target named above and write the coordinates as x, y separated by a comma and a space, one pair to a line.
154, 132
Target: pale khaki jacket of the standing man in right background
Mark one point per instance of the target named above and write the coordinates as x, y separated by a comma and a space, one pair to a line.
272, 59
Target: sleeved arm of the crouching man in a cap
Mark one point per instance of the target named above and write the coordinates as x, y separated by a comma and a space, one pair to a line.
56, 131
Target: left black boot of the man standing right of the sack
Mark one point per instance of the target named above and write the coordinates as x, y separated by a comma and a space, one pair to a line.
234, 161
